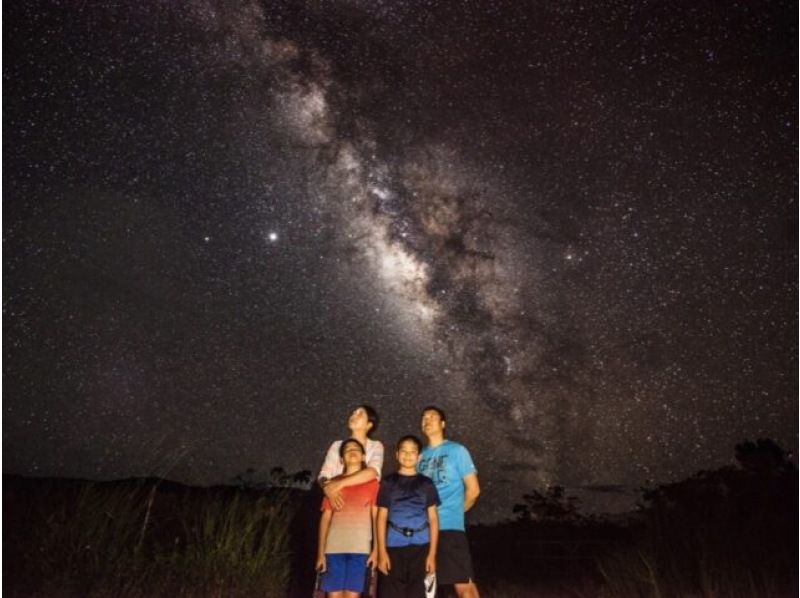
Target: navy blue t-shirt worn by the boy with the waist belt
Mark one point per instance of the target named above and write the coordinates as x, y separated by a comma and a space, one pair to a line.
407, 498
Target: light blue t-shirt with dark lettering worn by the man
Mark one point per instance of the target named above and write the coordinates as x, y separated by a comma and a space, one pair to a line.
447, 465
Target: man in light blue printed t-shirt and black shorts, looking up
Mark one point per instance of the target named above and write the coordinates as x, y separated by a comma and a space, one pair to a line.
450, 466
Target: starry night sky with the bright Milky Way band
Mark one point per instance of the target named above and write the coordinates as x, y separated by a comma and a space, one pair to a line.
573, 225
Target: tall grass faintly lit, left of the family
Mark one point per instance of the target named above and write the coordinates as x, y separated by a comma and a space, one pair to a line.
90, 539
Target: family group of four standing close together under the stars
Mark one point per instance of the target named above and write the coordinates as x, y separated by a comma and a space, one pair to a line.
408, 525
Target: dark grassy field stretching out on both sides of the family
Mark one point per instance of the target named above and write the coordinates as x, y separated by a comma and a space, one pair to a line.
725, 534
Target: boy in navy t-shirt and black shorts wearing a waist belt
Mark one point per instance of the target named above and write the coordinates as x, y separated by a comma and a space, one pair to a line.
408, 525
